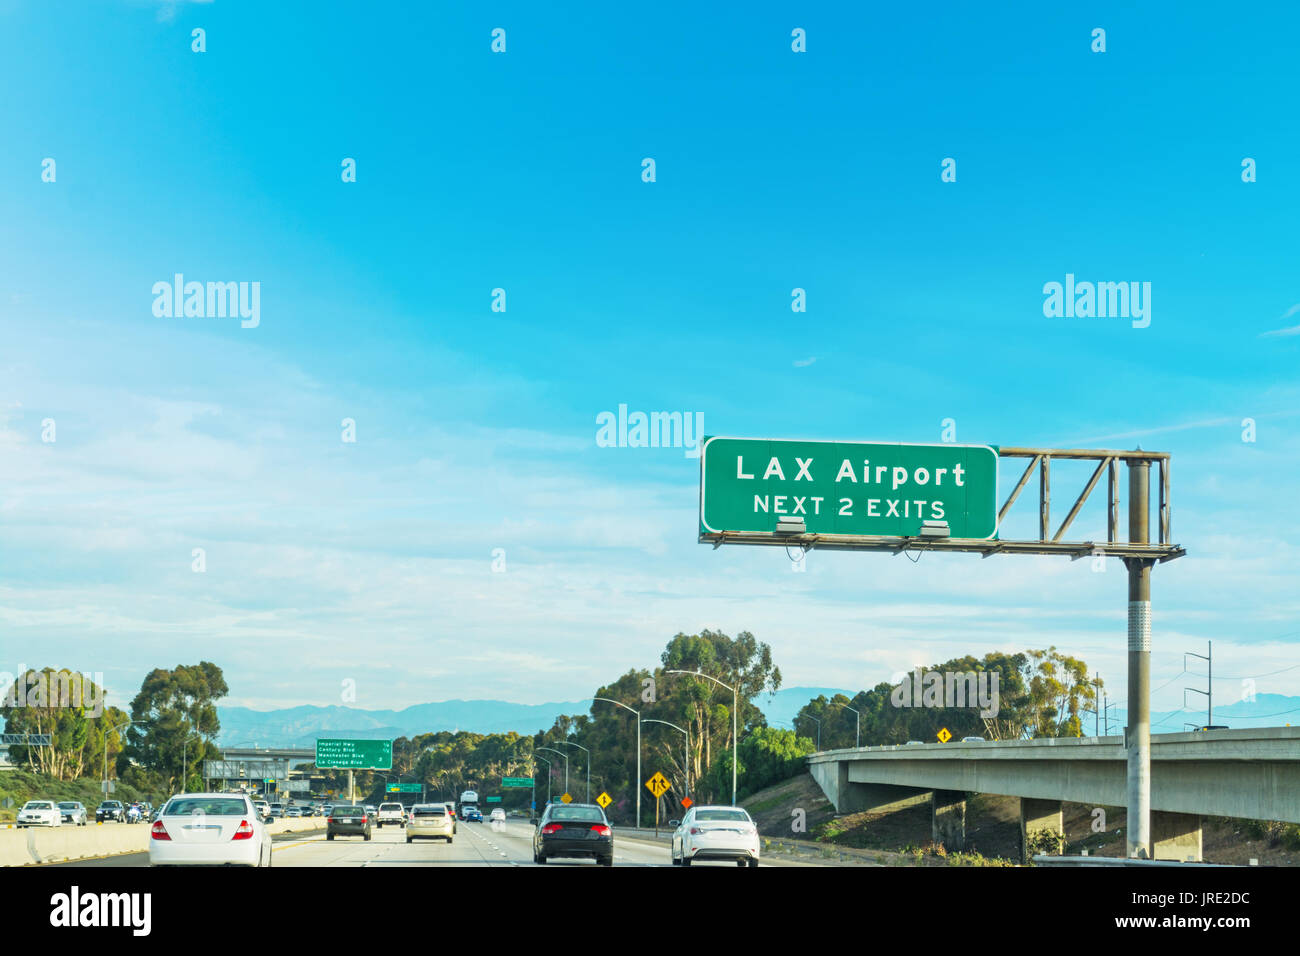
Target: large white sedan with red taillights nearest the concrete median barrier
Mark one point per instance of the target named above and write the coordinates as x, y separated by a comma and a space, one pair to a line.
210, 830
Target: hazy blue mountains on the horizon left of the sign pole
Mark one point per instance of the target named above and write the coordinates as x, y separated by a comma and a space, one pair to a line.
301, 726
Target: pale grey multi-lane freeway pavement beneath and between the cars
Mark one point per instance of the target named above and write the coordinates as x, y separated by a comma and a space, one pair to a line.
476, 845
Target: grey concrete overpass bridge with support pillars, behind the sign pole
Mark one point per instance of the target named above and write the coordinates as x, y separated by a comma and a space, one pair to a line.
1224, 773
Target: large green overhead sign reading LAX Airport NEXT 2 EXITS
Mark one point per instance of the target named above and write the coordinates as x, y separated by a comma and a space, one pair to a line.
847, 488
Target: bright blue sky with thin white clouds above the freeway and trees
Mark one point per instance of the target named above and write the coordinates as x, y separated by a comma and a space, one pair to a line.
476, 430
